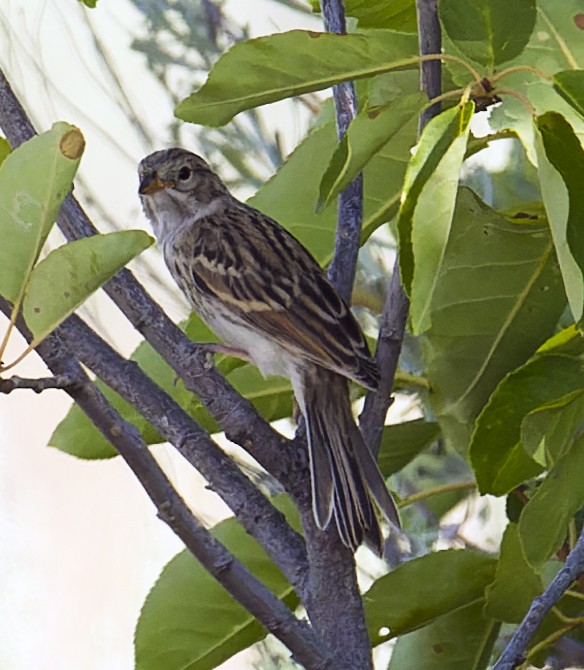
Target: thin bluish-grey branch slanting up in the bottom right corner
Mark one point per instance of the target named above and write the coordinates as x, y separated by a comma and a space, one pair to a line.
515, 651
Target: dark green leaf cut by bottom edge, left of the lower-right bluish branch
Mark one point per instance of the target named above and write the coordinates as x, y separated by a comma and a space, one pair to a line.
460, 640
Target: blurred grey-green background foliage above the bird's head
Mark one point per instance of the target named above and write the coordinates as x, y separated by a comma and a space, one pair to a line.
181, 40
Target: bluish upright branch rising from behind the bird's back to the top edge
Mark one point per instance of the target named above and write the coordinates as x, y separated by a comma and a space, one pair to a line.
350, 203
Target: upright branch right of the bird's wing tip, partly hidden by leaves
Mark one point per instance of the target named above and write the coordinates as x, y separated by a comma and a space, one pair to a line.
397, 305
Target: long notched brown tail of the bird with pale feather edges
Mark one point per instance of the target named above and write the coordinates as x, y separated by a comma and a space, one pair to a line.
344, 473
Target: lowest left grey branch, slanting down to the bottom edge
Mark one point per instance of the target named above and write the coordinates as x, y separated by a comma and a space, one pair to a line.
234, 577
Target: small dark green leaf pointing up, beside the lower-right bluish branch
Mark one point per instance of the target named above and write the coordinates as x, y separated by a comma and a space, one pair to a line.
516, 583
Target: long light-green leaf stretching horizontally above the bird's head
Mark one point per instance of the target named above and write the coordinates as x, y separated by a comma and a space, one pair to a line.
263, 70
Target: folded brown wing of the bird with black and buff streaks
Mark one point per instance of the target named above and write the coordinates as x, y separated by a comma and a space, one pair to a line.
256, 268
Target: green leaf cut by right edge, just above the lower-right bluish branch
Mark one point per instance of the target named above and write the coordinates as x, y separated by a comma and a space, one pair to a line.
544, 522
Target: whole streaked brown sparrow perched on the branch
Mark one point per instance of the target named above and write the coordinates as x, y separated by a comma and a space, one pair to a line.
268, 299
